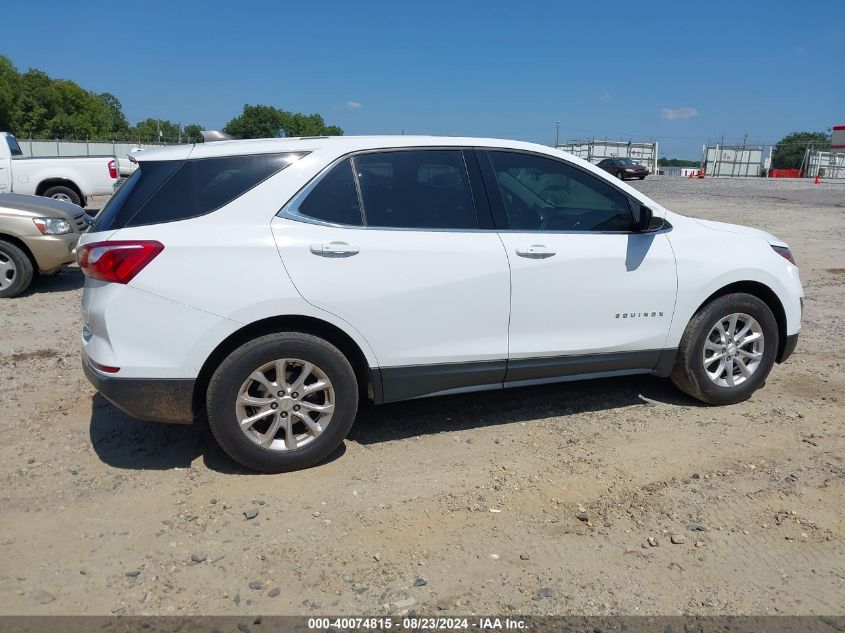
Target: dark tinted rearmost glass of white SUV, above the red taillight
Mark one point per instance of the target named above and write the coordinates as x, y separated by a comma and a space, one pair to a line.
167, 191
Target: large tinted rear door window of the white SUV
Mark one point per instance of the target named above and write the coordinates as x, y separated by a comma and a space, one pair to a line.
423, 189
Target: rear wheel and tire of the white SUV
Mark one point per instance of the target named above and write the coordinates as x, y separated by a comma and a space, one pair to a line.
282, 402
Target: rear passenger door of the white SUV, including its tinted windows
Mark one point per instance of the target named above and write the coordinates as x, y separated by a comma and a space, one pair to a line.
396, 244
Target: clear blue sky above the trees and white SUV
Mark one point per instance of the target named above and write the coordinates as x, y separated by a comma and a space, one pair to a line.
679, 72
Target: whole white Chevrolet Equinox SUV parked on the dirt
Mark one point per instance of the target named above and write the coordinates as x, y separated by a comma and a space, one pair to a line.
272, 285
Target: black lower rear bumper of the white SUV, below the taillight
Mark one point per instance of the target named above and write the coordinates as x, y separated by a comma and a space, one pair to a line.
155, 399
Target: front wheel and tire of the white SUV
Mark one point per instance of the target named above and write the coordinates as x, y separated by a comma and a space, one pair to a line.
727, 350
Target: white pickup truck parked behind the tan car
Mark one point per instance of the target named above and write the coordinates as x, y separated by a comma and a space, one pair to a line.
68, 178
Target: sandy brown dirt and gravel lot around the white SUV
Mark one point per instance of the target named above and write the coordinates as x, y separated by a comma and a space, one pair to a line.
452, 505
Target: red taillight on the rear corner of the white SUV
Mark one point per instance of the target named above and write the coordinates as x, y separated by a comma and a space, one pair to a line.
117, 261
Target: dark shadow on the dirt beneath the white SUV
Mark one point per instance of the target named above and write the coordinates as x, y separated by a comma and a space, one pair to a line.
125, 442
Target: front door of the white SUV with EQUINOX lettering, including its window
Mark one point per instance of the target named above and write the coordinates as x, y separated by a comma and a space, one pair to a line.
589, 293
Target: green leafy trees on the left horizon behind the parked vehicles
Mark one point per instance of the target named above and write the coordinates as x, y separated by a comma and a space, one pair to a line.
34, 105
